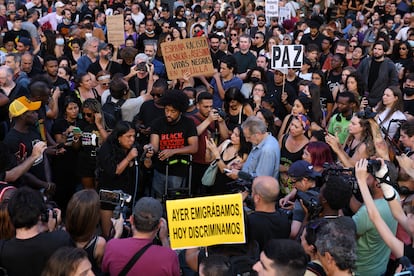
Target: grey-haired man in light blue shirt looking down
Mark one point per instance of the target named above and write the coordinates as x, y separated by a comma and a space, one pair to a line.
264, 158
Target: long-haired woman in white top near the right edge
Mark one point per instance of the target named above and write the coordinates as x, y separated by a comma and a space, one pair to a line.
390, 111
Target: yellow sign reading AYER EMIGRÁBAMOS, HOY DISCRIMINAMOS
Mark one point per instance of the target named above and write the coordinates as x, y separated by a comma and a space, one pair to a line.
205, 221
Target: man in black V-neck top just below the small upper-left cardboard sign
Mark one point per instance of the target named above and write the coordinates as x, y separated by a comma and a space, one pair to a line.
104, 61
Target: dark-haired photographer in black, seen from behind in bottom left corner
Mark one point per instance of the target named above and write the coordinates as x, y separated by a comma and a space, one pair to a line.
35, 240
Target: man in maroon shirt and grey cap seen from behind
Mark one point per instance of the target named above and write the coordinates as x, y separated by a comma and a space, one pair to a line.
146, 221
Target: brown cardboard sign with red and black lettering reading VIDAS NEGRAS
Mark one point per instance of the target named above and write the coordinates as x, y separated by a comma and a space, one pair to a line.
190, 55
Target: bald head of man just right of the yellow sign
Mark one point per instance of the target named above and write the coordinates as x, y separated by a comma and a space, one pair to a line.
267, 188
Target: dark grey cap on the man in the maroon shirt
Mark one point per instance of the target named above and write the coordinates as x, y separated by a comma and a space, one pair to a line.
148, 210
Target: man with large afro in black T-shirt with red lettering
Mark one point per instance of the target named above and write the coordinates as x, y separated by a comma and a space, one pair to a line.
172, 136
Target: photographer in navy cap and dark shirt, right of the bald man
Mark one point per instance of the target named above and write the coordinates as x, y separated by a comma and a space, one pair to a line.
302, 176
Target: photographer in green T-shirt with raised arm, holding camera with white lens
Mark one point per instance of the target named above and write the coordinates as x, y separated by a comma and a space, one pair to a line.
377, 196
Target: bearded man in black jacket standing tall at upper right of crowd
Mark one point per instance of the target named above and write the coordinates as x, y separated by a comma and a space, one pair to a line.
377, 72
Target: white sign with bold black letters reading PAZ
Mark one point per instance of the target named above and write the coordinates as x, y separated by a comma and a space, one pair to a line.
287, 56
